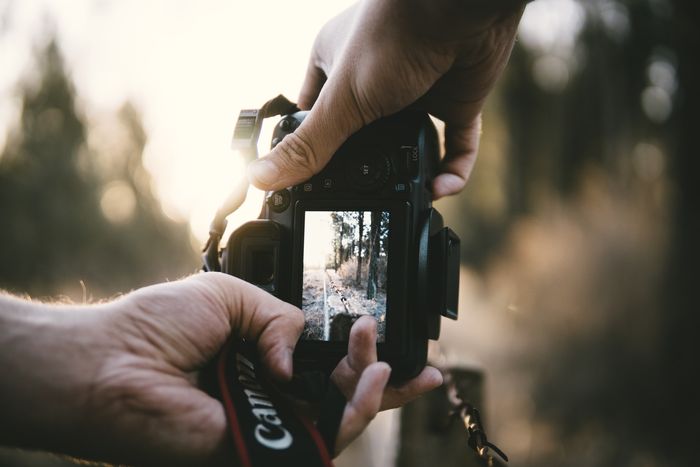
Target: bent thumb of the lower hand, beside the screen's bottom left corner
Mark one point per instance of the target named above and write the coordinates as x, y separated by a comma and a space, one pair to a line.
256, 315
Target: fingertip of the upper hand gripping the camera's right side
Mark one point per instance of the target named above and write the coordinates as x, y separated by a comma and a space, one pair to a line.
461, 148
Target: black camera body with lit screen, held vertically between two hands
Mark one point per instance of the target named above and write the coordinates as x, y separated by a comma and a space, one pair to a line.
360, 237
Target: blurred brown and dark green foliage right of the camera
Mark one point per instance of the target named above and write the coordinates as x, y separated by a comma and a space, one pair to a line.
580, 230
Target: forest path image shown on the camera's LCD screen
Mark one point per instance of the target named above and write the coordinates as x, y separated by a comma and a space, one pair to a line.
346, 254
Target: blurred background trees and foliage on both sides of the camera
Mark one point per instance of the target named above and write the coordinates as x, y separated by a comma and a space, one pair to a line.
579, 230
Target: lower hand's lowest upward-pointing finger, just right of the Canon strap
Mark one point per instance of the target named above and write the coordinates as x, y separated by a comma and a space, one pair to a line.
364, 405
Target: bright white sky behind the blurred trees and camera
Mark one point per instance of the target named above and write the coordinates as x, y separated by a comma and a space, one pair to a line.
189, 67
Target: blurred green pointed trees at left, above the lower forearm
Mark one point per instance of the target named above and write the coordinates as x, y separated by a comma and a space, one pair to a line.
64, 220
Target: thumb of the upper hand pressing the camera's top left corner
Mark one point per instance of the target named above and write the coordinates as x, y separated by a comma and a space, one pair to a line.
300, 155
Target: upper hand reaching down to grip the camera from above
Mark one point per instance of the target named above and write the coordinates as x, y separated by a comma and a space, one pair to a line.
381, 56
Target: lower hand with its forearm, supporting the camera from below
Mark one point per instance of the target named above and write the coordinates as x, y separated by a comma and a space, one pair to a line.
118, 381
